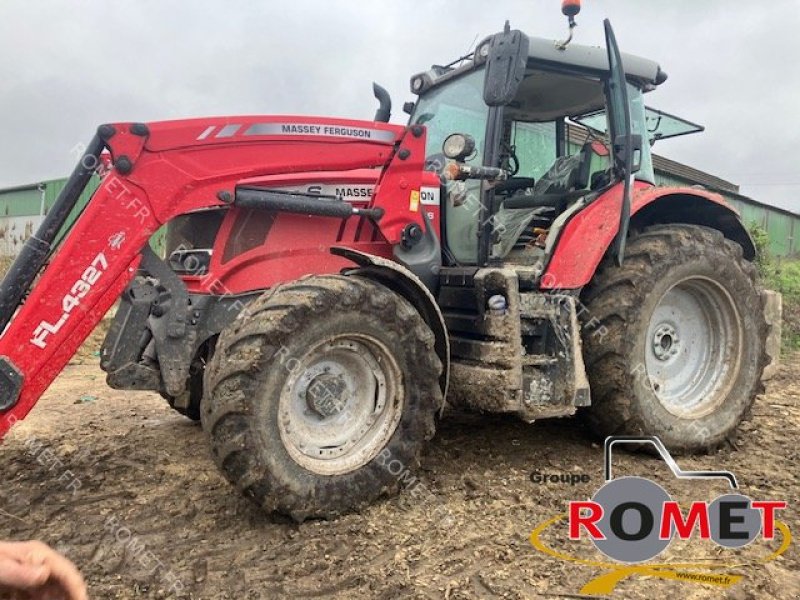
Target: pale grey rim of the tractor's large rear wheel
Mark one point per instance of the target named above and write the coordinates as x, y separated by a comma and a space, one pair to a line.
693, 347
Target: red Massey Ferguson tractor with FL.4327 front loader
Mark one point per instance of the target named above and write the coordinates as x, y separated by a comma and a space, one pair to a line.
329, 284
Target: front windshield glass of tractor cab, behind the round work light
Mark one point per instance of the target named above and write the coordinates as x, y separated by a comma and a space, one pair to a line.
457, 107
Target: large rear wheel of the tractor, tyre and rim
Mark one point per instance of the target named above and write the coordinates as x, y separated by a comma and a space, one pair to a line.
674, 339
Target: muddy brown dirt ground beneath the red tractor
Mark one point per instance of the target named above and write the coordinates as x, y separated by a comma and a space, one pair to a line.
126, 488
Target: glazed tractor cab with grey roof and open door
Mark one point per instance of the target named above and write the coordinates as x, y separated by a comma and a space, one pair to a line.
556, 120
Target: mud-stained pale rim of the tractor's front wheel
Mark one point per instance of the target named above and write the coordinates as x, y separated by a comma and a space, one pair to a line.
341, 404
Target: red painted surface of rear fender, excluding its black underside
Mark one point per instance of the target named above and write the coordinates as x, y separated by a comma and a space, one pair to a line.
588, 235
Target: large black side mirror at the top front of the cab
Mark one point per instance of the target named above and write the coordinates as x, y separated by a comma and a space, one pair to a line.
506, 63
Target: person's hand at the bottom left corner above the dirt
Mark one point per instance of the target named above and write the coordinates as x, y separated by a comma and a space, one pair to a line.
34, 571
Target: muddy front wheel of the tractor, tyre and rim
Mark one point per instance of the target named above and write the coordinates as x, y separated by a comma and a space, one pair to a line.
320, 395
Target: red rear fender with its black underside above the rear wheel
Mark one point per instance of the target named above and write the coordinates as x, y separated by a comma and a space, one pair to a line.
585, 239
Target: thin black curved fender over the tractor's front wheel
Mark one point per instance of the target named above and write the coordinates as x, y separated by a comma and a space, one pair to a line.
402, 281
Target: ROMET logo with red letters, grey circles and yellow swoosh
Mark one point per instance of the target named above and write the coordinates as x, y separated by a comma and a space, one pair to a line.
632, 520
